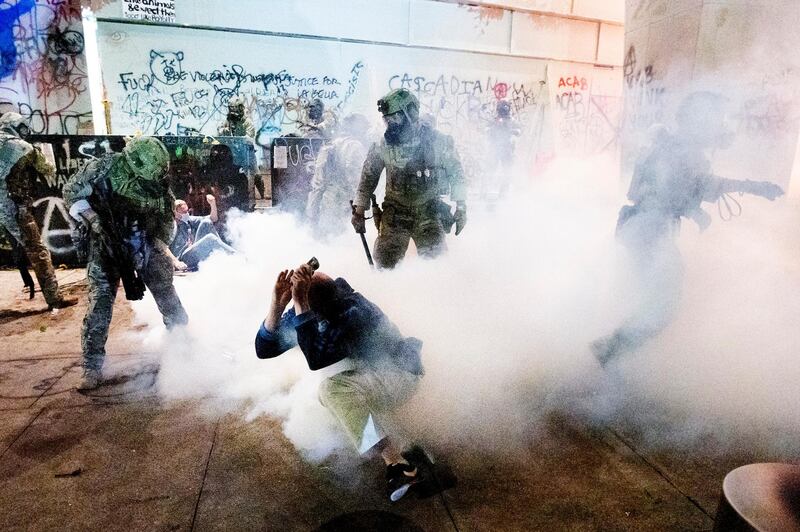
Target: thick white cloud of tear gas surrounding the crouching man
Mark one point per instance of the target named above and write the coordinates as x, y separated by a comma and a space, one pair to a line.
507, 316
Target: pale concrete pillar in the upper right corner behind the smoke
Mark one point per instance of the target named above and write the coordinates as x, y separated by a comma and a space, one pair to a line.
745, 50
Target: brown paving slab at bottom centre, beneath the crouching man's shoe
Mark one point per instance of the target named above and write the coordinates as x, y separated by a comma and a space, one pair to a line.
257, 481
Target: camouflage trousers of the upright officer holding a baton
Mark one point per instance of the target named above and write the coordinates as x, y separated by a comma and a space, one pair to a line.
400, 224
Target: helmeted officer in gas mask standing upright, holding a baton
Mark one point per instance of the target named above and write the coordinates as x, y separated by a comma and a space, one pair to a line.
420, 164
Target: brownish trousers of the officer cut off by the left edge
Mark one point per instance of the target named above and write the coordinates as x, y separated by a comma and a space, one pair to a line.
22, 225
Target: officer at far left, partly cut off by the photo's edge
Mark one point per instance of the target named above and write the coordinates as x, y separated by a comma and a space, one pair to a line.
21, 165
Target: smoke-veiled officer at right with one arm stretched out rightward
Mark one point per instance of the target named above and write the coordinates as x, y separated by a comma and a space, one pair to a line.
669, 183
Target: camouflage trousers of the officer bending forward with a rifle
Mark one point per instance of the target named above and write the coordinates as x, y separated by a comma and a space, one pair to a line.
104, 279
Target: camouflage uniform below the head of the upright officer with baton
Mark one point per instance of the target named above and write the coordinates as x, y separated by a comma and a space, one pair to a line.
417, 171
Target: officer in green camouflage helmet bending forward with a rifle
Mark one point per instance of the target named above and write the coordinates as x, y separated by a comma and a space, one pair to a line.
124, 202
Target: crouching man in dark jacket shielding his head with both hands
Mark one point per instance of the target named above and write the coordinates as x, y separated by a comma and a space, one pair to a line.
331, 322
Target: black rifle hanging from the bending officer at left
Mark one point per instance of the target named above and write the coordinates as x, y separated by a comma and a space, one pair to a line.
116, 249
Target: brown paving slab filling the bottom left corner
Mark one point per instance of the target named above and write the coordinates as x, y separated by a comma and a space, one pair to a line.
124, 467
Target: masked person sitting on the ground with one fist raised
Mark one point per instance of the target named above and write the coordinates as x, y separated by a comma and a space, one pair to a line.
196, 238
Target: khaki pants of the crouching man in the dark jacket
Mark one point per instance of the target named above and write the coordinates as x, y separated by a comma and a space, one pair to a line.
362, 400
